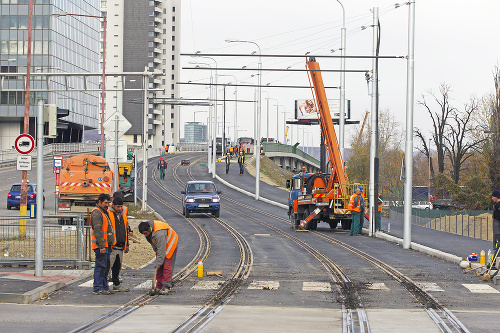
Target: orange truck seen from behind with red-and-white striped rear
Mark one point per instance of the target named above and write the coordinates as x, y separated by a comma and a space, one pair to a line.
83, 178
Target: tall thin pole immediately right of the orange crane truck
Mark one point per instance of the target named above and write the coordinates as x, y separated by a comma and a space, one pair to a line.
373, 129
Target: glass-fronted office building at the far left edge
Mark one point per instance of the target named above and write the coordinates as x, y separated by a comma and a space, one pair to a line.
59, 44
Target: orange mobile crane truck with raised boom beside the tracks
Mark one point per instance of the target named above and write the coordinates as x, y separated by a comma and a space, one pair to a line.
321, 196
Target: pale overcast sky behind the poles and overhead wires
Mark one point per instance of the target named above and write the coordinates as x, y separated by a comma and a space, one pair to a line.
456, 43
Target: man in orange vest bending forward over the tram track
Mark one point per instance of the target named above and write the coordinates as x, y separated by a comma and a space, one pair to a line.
163, 239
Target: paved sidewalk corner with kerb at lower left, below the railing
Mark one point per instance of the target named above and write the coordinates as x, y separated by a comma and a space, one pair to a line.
23, 287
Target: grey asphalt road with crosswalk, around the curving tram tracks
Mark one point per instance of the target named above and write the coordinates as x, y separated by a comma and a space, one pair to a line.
299, 294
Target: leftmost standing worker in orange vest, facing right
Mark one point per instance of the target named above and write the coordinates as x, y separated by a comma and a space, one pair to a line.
102, 236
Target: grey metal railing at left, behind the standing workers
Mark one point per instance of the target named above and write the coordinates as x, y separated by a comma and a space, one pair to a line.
65, 240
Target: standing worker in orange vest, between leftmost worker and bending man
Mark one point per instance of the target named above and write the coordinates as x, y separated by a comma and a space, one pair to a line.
120, 228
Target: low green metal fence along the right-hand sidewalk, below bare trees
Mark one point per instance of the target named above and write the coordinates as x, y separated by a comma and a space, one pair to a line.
476, 224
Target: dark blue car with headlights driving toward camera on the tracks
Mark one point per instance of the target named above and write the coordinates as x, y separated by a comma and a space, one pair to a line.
201, 197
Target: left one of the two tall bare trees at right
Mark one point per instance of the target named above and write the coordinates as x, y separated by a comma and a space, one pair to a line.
439, 121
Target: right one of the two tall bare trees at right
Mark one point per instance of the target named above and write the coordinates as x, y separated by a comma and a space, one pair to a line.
460, 143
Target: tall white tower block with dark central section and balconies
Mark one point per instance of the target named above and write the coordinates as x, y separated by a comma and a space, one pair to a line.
140, 34
